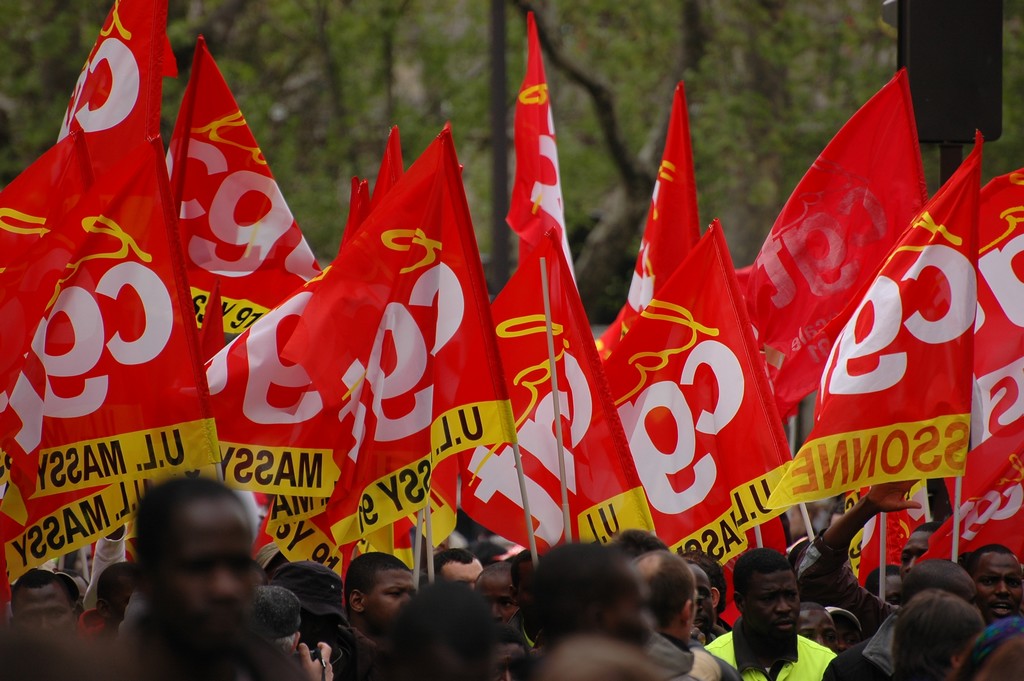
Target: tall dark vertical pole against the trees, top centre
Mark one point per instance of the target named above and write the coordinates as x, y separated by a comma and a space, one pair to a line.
499, 265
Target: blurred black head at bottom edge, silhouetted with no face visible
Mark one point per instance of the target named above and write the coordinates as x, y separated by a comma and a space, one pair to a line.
444, 634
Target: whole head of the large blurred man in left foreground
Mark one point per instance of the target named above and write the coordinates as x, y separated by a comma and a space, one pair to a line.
194, 539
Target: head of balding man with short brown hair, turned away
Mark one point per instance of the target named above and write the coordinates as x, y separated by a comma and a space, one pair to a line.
670, 591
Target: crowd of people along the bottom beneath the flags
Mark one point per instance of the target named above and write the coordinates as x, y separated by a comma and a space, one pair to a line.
196, 605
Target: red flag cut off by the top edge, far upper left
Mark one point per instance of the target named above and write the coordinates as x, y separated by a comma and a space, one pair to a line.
116, 102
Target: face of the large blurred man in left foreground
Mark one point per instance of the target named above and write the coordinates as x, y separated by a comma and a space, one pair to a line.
202, 590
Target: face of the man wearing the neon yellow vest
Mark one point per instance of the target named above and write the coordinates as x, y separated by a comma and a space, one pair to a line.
772, 606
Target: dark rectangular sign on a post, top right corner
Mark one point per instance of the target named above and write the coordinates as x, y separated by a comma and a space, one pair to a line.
953, 51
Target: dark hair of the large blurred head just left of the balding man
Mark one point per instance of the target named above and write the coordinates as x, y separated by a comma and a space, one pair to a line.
571, 580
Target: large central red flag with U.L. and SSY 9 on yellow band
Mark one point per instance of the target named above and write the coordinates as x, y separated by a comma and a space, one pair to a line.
404, 310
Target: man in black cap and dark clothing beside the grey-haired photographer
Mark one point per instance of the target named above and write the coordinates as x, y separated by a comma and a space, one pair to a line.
320, 591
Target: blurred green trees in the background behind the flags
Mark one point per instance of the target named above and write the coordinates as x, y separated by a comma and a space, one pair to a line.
321, 81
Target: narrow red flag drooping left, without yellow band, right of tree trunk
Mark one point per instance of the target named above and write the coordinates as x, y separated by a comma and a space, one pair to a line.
672, 228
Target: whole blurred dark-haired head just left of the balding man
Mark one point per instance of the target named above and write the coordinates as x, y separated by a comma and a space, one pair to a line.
589, 588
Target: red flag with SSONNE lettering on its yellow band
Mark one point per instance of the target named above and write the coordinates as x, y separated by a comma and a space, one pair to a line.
895, 398
